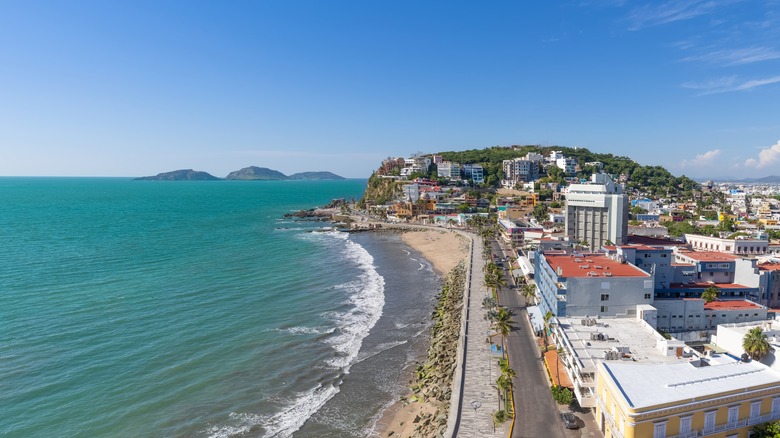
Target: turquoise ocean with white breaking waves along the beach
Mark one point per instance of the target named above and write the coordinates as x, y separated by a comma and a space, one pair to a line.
178, 309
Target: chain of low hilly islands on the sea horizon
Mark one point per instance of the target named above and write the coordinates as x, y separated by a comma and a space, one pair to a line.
251, 173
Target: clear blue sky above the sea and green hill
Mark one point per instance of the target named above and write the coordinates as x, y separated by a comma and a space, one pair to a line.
136, 88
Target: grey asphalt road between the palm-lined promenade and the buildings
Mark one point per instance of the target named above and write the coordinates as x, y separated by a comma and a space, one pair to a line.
537, 414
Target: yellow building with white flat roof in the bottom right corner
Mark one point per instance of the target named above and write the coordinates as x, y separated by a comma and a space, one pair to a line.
722, 398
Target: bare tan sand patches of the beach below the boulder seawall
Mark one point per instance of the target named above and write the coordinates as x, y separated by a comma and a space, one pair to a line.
444, 250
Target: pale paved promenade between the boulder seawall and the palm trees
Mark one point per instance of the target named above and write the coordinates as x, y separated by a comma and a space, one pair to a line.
480, 396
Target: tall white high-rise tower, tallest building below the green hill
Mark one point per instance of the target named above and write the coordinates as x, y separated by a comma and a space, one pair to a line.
597, 213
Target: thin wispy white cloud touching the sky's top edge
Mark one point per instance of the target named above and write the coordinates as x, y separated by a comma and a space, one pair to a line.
654, 14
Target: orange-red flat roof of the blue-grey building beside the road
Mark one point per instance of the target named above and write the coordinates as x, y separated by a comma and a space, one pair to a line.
591, 265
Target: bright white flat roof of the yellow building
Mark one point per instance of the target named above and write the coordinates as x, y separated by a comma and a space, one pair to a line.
651, 385
